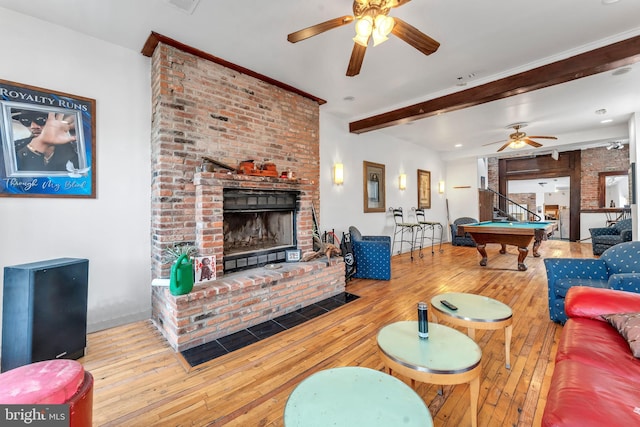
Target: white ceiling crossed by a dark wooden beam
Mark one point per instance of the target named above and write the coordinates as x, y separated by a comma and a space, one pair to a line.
486, 40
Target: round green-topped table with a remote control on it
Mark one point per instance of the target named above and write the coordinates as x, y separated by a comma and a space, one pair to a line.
476, 312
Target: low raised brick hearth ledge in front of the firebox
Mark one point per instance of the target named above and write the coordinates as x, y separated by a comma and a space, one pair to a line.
242, 300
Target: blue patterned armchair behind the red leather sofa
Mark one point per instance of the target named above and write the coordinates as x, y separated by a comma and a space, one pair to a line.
617, 268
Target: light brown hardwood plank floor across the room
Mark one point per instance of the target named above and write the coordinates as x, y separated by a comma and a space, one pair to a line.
141, 381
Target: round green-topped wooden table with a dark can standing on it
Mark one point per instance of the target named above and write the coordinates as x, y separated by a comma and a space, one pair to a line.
446, 357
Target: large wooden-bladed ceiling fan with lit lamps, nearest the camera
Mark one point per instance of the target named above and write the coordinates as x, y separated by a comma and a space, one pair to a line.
372, 21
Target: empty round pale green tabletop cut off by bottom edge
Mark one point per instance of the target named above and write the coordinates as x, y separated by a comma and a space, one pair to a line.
355, 397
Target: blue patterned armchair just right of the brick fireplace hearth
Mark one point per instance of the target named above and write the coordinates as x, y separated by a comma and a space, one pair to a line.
372, 254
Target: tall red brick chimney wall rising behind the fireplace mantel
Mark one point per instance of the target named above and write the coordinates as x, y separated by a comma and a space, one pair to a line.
201, 108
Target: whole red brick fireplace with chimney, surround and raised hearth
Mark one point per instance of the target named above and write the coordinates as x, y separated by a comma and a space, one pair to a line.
204, 109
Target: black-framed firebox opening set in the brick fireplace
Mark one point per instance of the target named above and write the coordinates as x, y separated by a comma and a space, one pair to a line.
258, 226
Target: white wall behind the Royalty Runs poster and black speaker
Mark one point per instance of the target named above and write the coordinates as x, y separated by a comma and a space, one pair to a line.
112, 231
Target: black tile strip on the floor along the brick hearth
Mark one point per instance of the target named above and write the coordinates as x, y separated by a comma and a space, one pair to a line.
208, 351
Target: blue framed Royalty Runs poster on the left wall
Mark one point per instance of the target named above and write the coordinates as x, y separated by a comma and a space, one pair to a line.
47, 143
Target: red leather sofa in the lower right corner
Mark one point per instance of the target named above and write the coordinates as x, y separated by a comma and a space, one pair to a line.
596, 380
